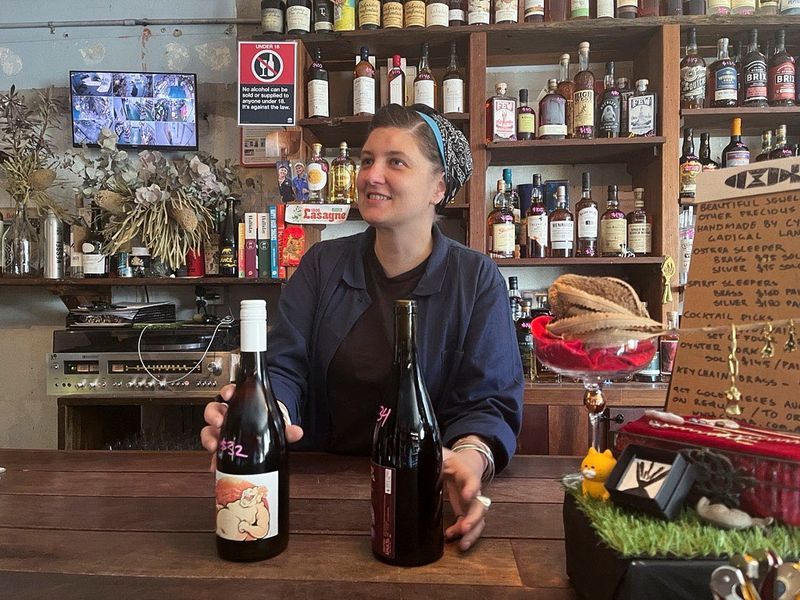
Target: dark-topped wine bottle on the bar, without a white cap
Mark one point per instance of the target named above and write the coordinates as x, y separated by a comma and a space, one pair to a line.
406, 469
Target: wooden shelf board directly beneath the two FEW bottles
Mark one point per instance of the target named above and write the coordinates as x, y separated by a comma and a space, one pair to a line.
573, 152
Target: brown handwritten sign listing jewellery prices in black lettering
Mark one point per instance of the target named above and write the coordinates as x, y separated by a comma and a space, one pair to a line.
745, 269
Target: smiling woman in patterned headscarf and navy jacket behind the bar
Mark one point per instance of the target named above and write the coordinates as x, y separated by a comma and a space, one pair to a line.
331, 348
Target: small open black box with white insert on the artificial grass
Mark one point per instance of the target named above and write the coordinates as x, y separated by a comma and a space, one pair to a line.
651, 480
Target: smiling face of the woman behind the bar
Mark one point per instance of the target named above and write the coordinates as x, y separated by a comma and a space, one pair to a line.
396, 184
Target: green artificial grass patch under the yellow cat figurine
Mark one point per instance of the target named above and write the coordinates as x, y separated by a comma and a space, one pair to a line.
637, 535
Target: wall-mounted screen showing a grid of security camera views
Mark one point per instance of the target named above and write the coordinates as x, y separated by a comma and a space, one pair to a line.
146, 110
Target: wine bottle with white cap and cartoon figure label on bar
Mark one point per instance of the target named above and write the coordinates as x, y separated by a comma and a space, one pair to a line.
252, 475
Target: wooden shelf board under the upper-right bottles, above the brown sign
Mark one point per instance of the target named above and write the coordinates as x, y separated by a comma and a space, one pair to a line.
717, 121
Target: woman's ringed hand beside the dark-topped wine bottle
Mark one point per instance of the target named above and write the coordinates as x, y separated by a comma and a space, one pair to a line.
462, 479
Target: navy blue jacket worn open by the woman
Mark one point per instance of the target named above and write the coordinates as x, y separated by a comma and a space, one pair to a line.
466, 340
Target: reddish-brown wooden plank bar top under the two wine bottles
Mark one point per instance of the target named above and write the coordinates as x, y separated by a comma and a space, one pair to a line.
94, 524
